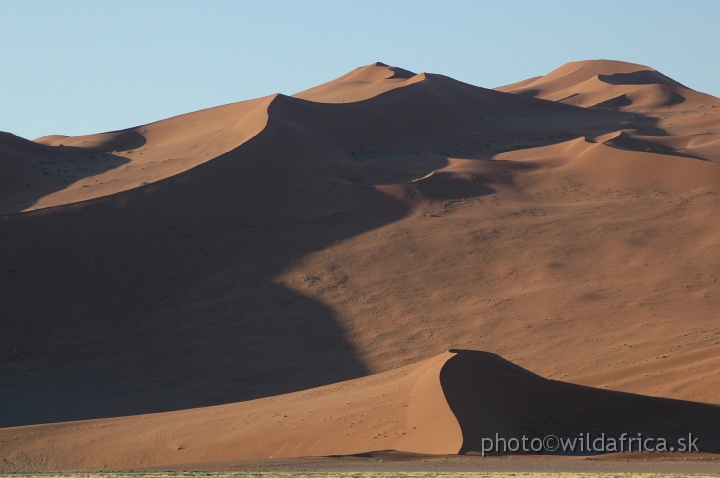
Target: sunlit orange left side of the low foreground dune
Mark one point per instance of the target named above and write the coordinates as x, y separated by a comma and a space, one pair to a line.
402, 409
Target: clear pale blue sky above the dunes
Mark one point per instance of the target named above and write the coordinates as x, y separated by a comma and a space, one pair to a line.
80, 67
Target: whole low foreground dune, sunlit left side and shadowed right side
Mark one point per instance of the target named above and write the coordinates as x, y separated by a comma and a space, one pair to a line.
443, 405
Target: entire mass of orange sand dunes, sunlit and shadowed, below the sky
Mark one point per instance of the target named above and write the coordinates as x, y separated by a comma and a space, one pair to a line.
363, 226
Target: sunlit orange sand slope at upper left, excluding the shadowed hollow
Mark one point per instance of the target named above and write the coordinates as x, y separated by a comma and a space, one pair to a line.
104, 164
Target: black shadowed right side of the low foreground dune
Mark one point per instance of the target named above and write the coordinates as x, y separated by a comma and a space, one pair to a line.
490, 395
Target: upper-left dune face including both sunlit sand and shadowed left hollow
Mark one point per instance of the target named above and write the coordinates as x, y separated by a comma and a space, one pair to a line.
60, 170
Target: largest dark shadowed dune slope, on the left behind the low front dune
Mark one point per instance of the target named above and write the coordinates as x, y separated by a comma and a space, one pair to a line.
161, 297
